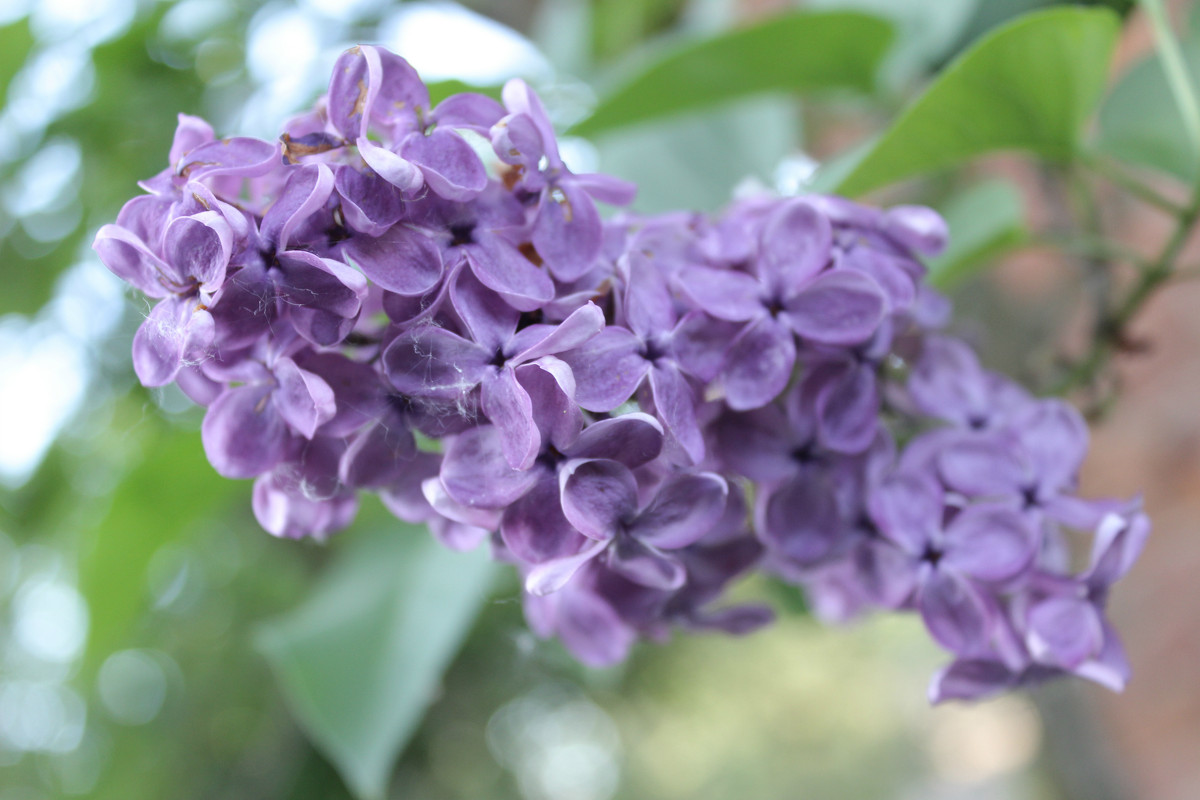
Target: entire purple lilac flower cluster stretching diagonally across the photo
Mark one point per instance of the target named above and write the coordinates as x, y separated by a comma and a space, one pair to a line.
423, 302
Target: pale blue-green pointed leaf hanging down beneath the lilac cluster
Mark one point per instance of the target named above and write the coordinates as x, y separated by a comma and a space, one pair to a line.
362, 659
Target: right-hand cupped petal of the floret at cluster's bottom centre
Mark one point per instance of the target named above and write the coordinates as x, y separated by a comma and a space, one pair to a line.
686, 508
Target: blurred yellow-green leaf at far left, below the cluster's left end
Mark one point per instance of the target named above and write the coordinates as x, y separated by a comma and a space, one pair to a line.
171, 491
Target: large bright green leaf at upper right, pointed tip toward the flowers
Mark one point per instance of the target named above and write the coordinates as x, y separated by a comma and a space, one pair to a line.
1030, 87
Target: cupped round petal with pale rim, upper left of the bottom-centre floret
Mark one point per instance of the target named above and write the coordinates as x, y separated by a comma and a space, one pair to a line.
598, 497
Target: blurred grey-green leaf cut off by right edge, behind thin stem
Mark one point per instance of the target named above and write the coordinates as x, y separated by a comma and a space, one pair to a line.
1141, 122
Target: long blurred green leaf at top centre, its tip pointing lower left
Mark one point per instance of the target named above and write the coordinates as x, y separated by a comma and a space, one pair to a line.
797, 52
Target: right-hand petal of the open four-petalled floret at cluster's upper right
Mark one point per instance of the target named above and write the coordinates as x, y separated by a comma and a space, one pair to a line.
841, 308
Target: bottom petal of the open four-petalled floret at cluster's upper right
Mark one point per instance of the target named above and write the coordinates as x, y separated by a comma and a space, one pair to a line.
759, 365
